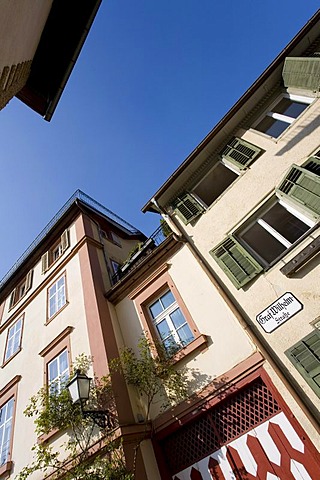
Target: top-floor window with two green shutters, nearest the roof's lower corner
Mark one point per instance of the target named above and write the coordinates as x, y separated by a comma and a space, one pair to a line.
235, 157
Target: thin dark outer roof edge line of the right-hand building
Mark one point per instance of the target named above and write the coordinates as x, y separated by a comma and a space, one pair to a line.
149, 206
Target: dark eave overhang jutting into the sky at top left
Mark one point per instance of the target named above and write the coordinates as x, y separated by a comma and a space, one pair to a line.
63, 36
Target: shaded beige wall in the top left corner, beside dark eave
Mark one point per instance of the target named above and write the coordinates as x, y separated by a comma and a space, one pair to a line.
21, 25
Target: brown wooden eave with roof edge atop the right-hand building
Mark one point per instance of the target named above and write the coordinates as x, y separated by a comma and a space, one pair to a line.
264, 84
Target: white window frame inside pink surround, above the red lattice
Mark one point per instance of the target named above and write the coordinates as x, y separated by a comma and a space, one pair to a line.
165, 315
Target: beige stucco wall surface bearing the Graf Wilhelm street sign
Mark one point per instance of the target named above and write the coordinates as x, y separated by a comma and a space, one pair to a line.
236, 204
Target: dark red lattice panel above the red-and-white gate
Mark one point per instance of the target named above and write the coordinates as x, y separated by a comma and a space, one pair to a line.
231, 418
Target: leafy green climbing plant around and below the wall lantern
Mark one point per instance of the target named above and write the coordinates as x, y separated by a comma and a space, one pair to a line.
89, 451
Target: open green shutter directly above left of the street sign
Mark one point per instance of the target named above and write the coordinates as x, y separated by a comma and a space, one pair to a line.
236, 262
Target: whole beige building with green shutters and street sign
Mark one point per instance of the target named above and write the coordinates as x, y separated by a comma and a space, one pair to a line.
247, 204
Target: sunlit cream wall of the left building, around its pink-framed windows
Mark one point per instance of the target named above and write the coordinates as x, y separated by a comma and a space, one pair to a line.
36, 336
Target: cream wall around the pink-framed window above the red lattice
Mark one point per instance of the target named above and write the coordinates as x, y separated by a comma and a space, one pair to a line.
228, 345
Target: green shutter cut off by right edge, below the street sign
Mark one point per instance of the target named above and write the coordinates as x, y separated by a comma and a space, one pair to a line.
305, 356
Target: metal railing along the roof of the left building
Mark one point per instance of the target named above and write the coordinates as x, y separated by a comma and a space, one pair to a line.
90, 202
